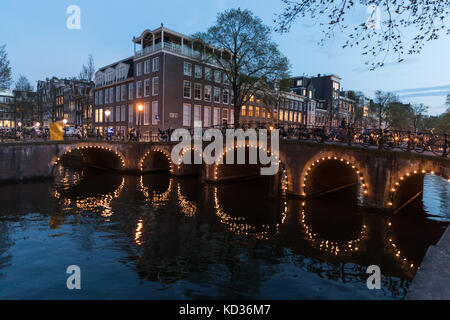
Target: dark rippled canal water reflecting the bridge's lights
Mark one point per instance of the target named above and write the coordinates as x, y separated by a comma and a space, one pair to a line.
159, 237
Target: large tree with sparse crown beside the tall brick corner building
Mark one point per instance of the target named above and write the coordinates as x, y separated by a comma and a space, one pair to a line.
242, 47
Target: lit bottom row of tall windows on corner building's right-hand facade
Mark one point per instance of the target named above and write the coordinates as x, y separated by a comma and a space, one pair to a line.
209, 117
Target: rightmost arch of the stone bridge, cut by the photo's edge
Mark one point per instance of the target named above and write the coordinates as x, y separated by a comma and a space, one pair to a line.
409, 185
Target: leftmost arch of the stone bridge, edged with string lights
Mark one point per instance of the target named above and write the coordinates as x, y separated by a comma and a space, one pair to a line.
102, 156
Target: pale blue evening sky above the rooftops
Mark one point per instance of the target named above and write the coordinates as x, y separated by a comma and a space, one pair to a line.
39, 44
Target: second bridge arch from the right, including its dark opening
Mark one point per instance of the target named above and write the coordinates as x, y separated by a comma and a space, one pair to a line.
326, 165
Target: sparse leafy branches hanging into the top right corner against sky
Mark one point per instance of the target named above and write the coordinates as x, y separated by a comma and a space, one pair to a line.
383, 33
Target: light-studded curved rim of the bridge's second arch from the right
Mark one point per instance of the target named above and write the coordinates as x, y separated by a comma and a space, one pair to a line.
362, 181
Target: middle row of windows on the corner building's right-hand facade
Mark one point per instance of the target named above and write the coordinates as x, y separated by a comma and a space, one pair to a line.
218, 94
